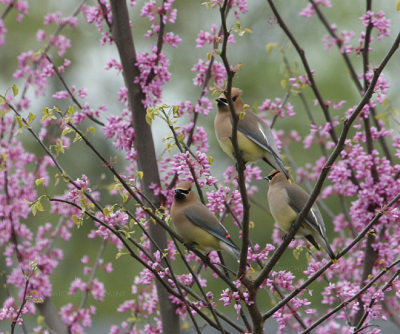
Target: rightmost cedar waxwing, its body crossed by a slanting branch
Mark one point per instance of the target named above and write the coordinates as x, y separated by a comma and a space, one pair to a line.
286, 200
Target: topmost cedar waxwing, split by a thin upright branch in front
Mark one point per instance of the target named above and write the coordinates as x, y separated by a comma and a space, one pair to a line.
255, 138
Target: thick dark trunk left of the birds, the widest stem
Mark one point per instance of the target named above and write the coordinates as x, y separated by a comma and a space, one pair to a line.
143, 143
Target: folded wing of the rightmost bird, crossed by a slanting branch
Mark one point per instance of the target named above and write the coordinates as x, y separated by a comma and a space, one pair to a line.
297, 199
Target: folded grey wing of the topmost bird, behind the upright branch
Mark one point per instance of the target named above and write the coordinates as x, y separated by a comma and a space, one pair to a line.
258, 132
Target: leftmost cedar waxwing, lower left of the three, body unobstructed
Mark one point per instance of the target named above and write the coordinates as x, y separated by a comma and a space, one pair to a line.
195, 223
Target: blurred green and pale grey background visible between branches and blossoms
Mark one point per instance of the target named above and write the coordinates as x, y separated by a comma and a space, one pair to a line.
259, 78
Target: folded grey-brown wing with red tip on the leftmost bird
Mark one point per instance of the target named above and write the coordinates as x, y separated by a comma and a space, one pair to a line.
203, 218
